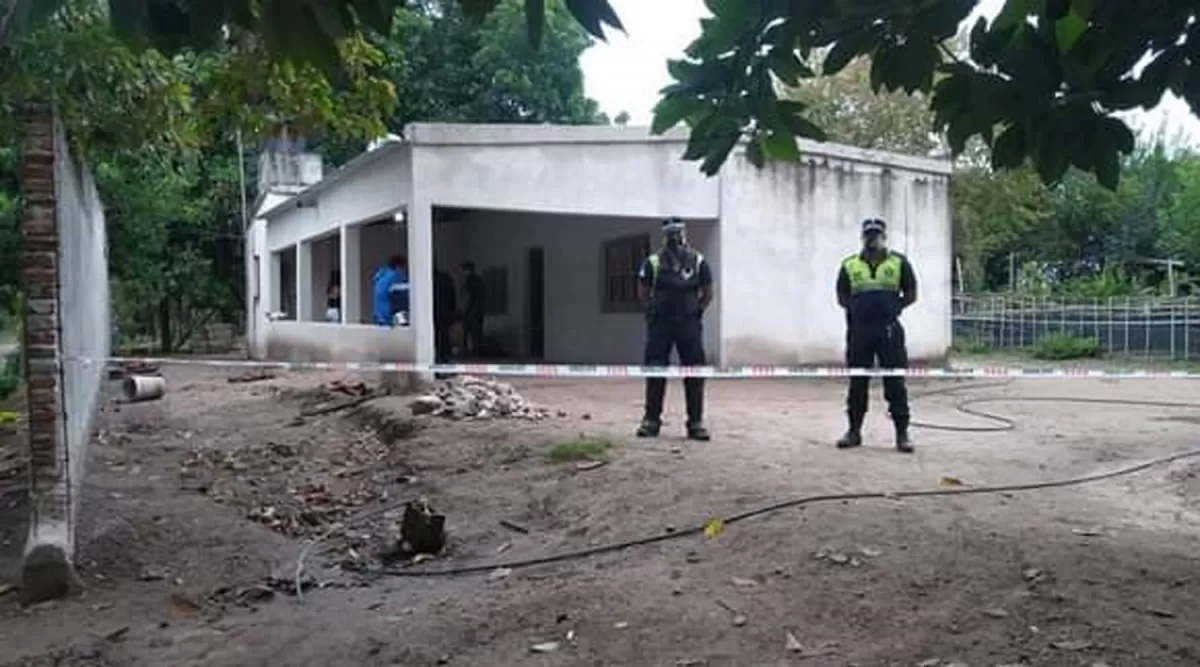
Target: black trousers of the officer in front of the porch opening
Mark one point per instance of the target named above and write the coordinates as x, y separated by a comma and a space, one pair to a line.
686, 336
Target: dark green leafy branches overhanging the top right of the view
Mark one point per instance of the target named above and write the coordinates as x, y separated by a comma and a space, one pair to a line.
1041, 82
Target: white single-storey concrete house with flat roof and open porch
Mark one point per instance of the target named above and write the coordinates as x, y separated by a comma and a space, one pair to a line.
557, 221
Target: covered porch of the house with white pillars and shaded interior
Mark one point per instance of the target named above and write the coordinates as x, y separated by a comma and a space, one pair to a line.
557, 221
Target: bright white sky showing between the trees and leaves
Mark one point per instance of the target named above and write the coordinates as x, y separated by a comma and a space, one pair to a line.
627, 73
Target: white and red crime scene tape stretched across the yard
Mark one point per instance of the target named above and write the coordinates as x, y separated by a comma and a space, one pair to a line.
619, 371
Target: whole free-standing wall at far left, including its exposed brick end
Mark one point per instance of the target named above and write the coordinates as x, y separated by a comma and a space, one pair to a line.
68, 336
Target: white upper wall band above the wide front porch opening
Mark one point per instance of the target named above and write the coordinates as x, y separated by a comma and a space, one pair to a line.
561, 170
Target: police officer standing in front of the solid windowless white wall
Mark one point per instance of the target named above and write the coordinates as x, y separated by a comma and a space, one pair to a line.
874, 287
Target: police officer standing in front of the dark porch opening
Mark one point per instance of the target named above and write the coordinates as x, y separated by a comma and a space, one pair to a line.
676, 285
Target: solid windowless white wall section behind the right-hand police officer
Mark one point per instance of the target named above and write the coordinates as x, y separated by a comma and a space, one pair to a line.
785, 232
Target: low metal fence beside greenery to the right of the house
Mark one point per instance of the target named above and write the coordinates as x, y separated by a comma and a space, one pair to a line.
1125, 327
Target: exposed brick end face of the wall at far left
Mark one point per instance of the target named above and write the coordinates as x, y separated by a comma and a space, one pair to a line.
47, 569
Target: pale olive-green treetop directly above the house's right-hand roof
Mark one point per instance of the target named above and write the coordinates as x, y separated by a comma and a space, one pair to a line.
851, 113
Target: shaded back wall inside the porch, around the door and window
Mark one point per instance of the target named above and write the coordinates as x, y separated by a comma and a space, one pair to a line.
578, 331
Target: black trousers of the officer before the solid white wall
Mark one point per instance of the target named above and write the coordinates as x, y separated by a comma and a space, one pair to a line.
866, 345
